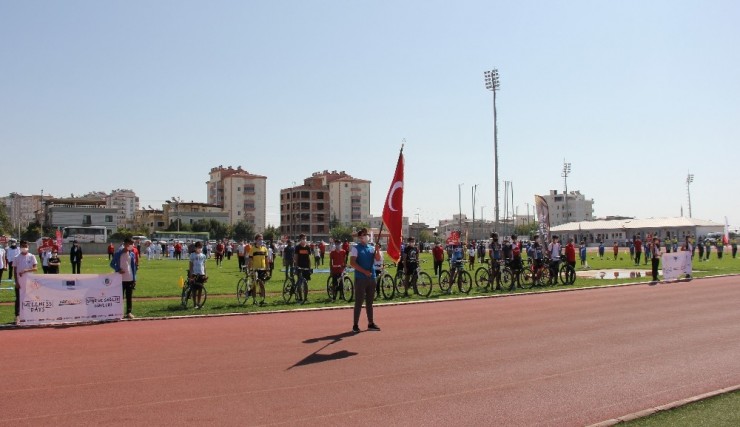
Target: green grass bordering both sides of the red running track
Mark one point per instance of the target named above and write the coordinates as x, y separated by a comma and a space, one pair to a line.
157, 294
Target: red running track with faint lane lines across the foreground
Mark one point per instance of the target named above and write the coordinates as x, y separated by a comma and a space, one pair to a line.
559, 359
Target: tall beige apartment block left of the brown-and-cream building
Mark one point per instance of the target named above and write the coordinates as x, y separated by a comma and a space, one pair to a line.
241, 194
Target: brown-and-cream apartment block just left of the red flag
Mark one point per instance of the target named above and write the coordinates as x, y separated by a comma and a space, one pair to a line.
324, 197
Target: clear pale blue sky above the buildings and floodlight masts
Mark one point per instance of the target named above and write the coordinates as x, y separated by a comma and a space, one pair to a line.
150, 95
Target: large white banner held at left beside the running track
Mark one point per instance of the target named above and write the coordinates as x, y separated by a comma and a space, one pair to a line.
48, 299
